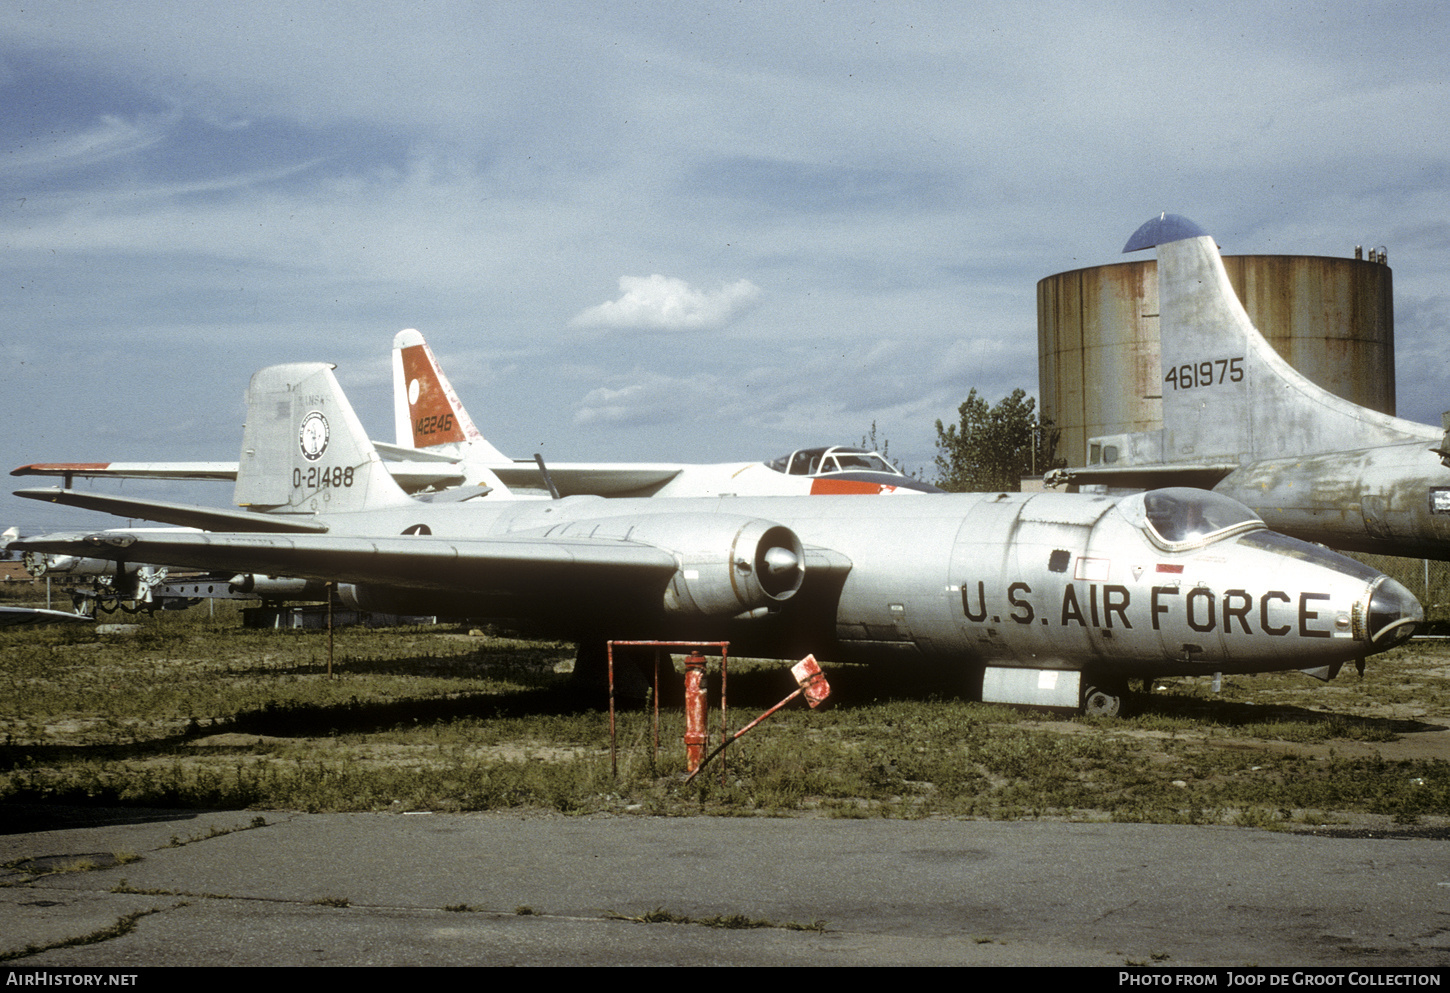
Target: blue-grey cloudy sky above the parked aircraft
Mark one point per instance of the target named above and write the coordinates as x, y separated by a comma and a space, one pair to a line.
662, 231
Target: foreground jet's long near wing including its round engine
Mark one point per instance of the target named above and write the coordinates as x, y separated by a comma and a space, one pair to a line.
513, 575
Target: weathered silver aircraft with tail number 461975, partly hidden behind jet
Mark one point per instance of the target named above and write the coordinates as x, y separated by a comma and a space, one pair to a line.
1240, 420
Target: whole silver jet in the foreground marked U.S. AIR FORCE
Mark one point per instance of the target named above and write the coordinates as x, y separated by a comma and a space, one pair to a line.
1048, 599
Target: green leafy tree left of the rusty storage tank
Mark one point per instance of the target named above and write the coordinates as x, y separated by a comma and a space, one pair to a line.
995, 447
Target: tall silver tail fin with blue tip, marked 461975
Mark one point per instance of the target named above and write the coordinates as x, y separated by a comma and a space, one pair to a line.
1227, 394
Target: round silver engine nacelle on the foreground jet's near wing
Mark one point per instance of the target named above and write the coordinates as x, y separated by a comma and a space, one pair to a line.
727, 566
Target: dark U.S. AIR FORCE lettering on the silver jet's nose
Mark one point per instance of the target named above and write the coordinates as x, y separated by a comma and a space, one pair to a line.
1107, 605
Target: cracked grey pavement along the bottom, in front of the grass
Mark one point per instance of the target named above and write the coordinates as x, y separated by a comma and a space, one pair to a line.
289, 889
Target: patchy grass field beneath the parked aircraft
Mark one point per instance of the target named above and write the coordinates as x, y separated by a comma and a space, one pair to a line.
192, 711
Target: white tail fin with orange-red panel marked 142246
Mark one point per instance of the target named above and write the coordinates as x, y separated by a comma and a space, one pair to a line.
427, 412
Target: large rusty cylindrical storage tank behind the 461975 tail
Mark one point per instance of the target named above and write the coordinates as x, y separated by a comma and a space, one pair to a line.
1098, 337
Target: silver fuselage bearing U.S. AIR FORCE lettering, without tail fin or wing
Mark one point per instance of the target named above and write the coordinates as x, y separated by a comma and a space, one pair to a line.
1046, 582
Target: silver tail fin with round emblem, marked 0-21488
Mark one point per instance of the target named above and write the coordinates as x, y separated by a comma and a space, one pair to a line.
305, 452
